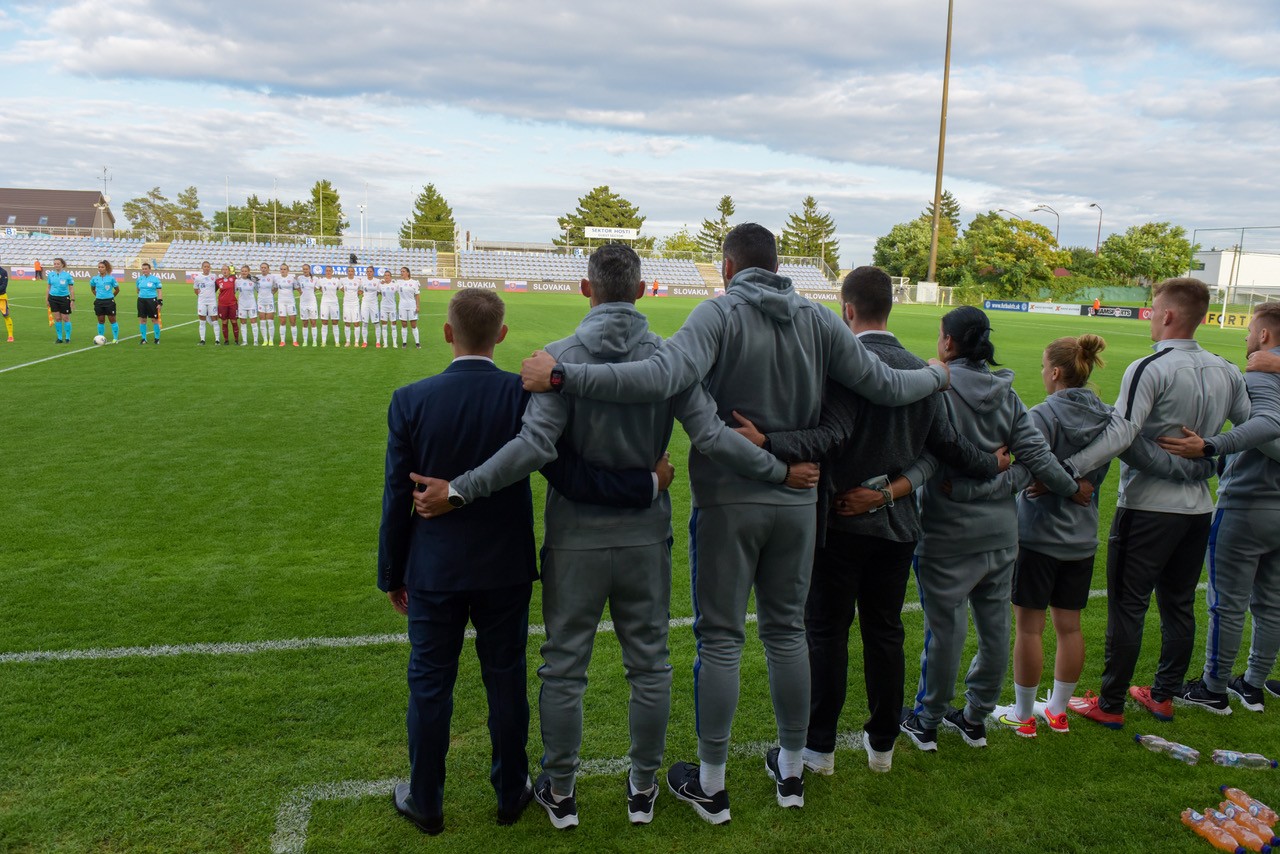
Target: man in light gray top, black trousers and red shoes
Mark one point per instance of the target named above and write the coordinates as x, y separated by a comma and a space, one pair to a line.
1162, 527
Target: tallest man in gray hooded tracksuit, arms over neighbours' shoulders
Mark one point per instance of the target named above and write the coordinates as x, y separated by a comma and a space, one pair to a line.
765, 351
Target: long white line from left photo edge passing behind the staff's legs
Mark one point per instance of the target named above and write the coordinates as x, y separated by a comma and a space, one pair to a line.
309, 643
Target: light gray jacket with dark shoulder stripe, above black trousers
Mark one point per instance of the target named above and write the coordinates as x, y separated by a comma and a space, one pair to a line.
1181, 385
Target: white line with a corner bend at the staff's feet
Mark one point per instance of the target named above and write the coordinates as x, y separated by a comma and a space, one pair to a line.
295, 814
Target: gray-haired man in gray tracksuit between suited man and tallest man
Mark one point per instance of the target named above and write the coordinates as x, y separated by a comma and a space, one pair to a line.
596, 556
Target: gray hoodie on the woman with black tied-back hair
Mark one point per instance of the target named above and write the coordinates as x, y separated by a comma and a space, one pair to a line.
986, 410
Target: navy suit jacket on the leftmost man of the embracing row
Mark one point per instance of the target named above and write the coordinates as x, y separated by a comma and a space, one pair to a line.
450, 424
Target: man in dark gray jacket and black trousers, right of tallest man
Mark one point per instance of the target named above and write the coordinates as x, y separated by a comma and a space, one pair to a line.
865, 559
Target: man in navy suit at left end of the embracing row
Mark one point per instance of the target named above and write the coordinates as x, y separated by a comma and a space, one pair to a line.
472, 565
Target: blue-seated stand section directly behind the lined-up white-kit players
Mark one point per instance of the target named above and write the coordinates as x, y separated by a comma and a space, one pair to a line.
190, 254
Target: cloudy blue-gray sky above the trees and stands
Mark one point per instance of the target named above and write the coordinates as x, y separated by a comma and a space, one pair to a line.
1155, 111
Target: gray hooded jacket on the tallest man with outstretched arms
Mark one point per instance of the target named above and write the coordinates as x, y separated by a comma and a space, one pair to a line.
764, 350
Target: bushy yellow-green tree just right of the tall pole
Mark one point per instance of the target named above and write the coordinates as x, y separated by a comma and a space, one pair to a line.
1009, 259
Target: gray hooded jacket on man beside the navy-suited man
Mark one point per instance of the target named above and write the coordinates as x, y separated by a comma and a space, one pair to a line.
614, 436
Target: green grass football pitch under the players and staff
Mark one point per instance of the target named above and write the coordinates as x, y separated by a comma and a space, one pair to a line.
177, 495
